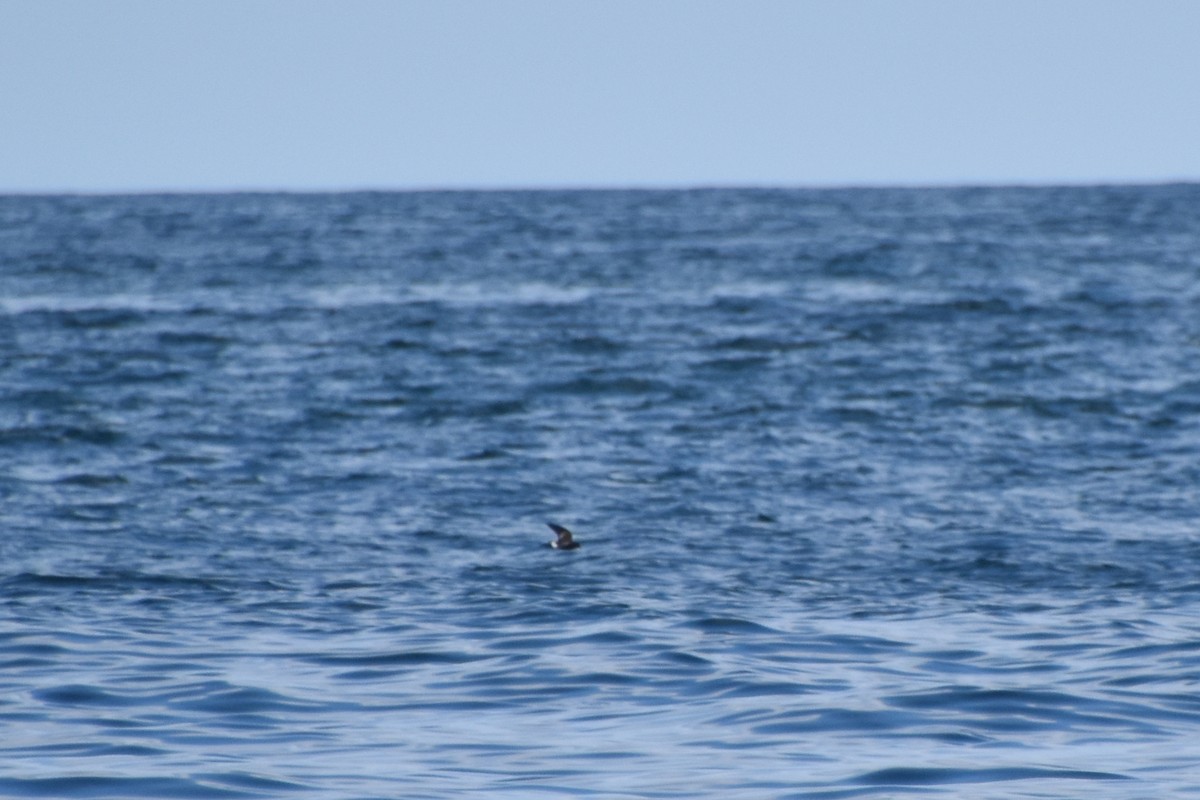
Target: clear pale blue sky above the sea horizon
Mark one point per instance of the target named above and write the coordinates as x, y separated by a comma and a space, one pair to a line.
305, 95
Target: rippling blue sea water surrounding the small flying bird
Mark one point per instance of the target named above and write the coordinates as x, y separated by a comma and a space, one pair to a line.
883, 494
